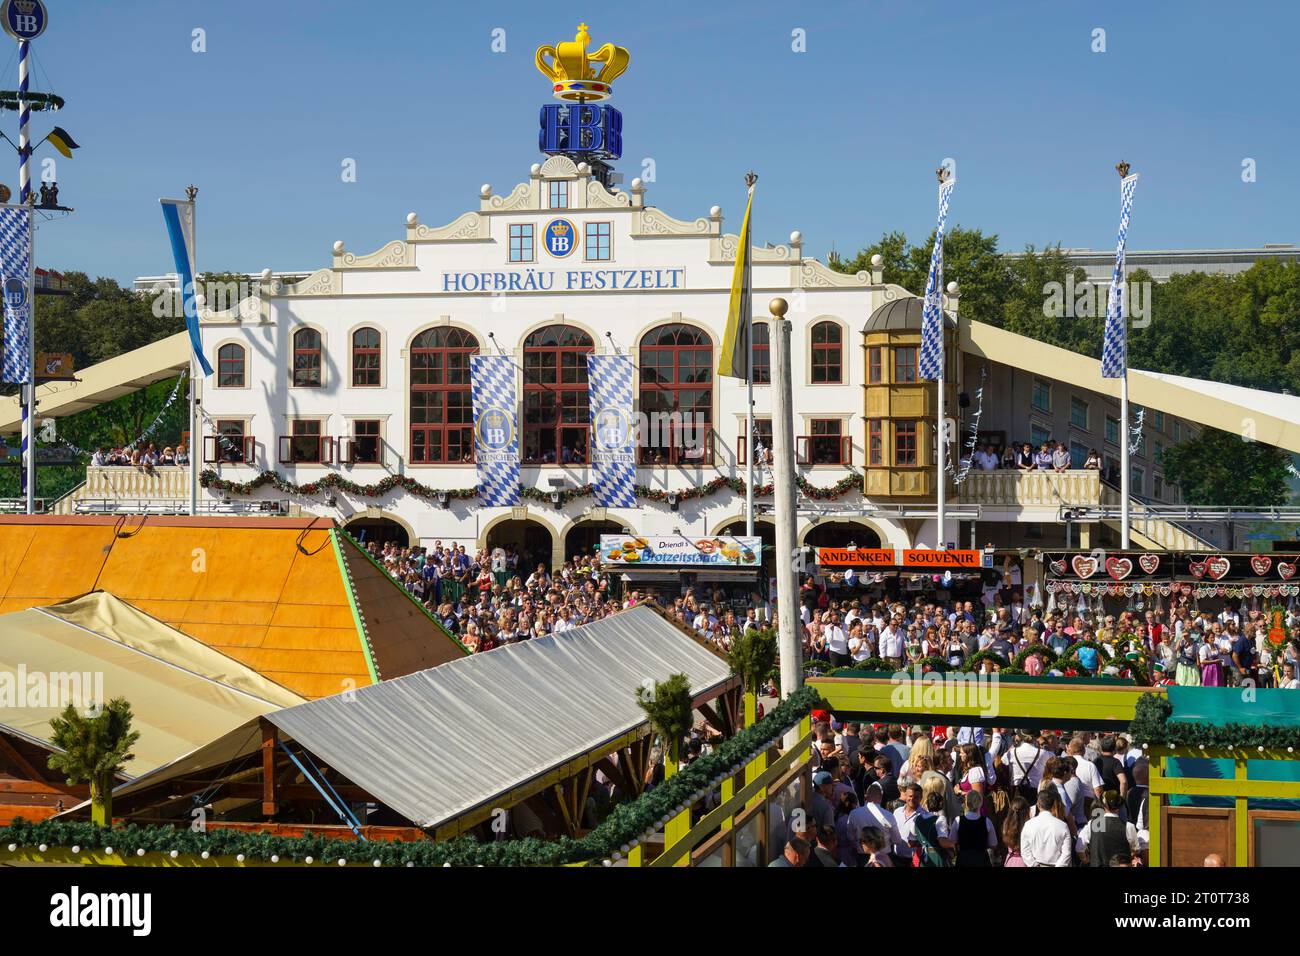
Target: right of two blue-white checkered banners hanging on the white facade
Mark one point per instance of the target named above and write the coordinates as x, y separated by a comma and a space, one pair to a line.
614, 464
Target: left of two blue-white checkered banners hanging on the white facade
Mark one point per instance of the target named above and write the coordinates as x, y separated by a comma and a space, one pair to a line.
492, 380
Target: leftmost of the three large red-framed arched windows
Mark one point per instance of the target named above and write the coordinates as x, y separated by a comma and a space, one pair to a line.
443, 410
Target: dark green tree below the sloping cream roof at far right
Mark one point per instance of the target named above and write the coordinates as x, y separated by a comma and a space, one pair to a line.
1221, 469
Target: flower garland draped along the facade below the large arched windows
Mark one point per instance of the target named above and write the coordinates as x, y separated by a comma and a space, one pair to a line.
210, 479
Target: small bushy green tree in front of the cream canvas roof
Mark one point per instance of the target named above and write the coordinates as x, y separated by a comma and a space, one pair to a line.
93, 751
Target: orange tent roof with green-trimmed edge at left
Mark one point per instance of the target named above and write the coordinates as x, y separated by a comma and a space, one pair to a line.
272, 594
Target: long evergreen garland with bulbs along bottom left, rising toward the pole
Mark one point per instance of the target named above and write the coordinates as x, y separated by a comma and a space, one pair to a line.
626, 825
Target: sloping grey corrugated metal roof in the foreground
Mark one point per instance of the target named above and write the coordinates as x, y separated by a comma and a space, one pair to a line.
443, 742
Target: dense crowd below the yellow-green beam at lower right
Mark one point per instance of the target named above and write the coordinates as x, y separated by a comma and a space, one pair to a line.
964, 797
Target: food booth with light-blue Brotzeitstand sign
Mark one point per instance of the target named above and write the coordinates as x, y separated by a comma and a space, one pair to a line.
668, 565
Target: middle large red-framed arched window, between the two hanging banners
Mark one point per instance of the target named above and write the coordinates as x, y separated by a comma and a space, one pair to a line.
556, 409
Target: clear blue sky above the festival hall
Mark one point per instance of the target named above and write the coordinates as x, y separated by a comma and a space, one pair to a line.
844, 136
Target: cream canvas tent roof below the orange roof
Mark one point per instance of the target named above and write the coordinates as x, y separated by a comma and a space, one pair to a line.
183, 693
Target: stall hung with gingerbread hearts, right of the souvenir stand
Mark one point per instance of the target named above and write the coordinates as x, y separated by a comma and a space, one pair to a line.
1112, 582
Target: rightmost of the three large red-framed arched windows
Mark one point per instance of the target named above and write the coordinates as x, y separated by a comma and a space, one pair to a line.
677, 395
